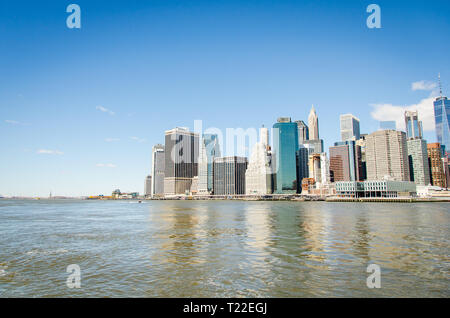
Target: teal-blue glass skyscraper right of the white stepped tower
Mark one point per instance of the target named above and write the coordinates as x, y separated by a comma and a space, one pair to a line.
285, 142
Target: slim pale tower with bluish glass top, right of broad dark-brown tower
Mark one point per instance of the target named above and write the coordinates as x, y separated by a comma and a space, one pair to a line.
208, 150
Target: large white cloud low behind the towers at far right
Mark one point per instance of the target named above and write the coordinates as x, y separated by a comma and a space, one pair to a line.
397, 113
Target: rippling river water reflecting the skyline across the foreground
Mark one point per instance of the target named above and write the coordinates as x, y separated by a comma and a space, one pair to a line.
223, 248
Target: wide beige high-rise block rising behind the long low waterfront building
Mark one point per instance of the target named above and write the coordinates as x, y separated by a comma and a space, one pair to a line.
386, 155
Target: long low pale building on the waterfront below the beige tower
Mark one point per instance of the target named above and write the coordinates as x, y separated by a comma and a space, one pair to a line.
375, 189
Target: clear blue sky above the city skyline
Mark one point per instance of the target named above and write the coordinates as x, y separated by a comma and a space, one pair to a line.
81, 109
